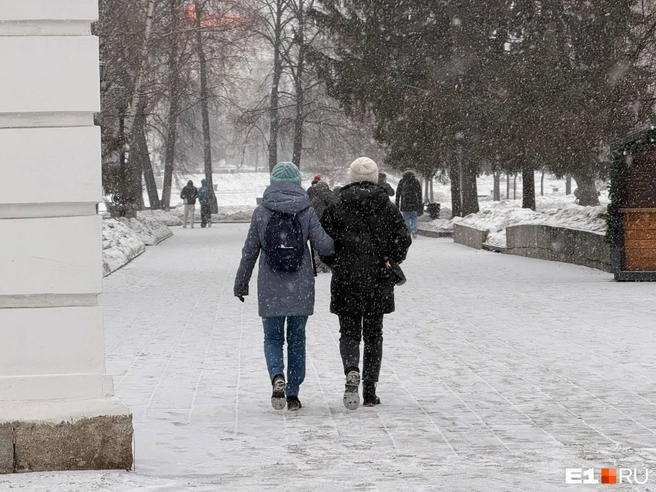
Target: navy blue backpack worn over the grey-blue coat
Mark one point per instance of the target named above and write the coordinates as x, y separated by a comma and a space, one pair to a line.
283, 242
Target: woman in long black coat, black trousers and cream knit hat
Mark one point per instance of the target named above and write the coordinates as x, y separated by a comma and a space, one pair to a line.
368, 231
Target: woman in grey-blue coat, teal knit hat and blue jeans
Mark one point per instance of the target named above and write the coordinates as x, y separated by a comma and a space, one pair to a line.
283, 295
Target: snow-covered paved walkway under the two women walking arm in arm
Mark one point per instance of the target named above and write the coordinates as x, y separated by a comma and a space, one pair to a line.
499, 372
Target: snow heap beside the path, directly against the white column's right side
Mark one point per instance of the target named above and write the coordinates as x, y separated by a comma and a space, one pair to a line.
120, 245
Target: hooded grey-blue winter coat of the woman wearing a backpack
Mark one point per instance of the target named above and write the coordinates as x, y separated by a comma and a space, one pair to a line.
280, 293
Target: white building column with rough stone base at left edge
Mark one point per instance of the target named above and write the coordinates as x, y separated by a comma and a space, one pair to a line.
57, 409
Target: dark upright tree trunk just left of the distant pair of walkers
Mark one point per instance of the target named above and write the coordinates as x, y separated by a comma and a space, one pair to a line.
174, 95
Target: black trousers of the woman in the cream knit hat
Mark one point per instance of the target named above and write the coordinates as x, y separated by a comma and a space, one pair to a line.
352, 329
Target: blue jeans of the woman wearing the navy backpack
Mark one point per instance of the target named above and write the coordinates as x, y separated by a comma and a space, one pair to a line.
274, 339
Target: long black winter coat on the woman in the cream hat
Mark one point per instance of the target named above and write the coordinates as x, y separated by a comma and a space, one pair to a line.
367, 228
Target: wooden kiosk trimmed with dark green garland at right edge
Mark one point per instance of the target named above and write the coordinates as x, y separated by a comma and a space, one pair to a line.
632, 211
